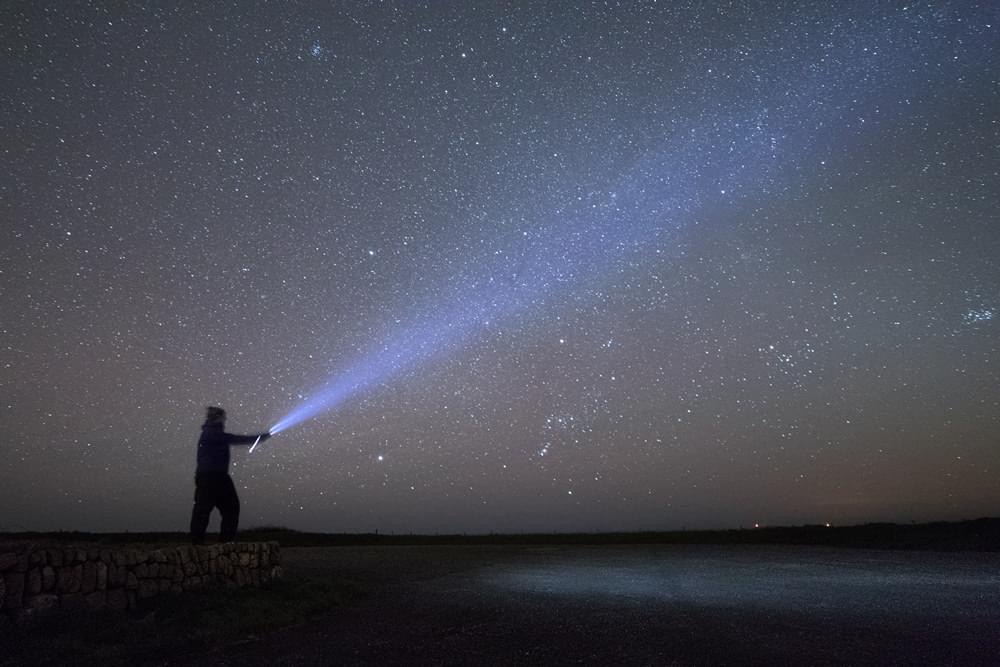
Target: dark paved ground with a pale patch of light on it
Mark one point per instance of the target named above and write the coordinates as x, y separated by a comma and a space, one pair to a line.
644, 605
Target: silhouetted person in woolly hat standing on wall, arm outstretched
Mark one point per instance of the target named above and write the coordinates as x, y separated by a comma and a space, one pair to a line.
213, 487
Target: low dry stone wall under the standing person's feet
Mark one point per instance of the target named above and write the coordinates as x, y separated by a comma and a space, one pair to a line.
33, 580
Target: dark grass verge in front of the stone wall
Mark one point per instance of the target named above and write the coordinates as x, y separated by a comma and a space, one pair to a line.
173, 625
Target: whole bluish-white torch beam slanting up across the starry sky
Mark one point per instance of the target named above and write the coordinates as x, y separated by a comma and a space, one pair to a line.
729, 158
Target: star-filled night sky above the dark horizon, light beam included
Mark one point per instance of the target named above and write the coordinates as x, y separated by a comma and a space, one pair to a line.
501, 266
